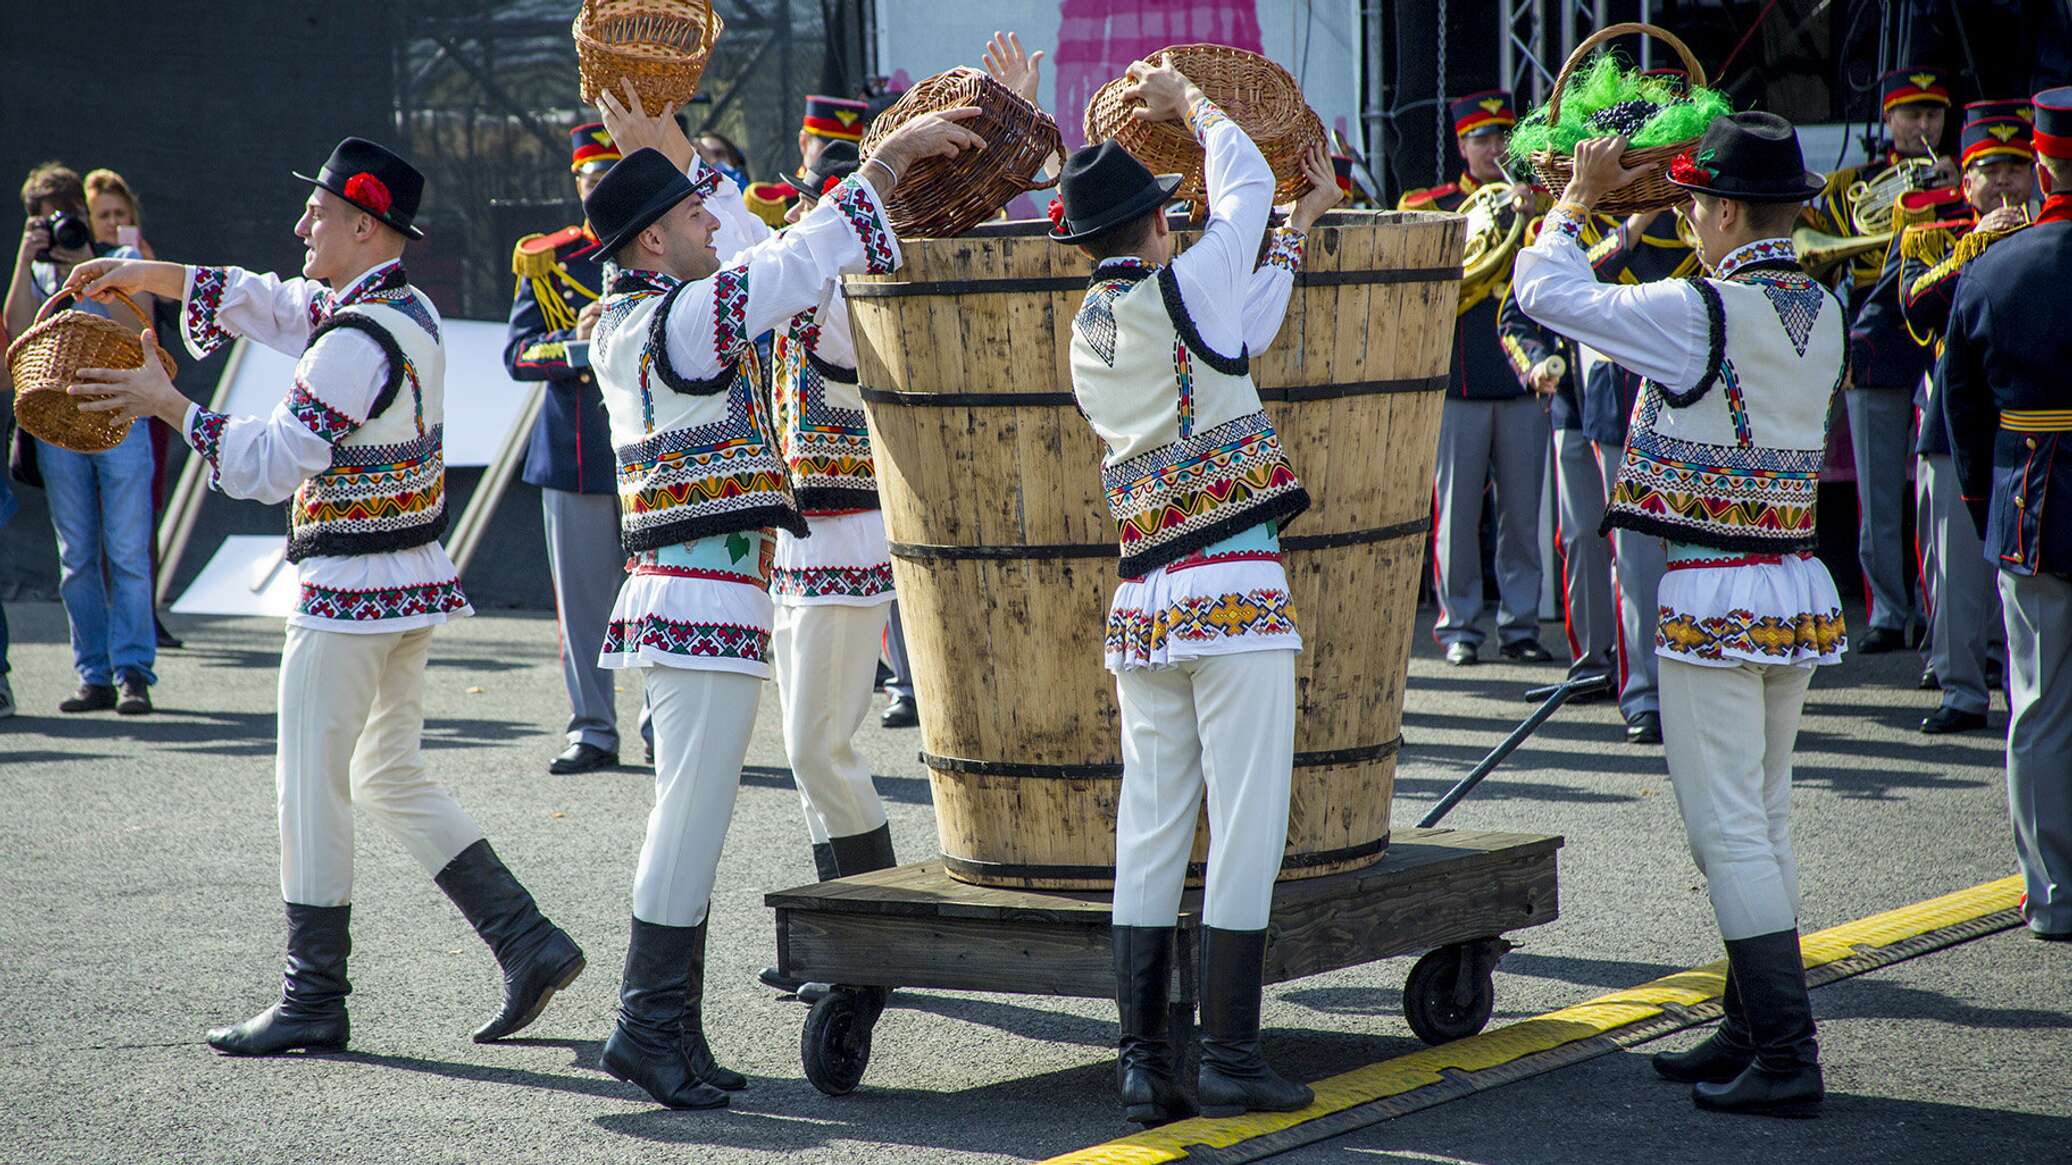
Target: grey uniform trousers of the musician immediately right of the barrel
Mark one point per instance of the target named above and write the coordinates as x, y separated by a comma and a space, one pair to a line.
1483, 443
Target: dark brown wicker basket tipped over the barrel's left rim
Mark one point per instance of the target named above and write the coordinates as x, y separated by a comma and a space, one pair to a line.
948, 196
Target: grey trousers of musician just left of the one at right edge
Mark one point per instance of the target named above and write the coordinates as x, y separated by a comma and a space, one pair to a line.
1957, 586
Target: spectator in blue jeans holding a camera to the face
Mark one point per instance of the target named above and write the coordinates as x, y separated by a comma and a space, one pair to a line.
100, 505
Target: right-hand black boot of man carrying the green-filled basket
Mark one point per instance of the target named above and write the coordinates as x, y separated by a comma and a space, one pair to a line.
1783, 1081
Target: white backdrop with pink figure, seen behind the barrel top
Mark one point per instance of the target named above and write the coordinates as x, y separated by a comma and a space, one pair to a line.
1091, 42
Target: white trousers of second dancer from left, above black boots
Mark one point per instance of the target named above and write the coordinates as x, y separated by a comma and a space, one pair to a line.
701, 737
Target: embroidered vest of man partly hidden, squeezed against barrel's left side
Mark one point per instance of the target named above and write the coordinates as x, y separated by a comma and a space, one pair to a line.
822, 422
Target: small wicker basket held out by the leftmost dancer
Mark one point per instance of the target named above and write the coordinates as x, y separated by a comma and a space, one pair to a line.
47, 362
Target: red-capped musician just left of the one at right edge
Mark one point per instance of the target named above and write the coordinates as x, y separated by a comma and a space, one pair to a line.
1957, 586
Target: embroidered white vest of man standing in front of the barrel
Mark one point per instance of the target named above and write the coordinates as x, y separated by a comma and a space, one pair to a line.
1192, 457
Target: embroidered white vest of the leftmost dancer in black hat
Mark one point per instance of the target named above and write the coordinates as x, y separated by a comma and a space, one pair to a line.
386, 486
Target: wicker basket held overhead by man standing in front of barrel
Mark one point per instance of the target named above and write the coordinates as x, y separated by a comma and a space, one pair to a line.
1257, 92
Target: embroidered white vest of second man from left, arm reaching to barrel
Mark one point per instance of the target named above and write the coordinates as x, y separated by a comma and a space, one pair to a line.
695, 457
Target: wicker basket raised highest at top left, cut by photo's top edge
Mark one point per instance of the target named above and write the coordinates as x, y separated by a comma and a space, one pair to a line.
662, 47
